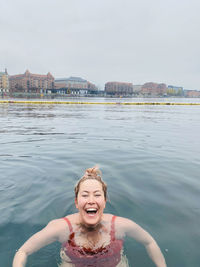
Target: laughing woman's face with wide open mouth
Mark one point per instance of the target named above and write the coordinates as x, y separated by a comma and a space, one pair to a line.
90, 202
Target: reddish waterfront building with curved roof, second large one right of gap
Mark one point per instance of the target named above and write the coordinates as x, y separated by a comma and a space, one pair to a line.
154, 89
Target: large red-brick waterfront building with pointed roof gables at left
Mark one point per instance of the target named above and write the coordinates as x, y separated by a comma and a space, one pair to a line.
34, 83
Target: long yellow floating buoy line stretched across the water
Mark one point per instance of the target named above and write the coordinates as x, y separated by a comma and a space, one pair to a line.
93, 103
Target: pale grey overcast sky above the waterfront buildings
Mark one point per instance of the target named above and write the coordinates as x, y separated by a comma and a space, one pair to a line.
134, 41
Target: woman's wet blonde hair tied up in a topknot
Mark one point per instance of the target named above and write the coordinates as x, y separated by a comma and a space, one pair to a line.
93, 174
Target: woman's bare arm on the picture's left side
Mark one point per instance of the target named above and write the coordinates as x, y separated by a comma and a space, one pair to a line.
46, 236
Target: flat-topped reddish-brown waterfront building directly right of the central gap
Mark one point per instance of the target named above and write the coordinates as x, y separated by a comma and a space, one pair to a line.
119, 88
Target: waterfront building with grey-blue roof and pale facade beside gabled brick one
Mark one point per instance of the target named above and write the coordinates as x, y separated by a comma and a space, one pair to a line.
74, 86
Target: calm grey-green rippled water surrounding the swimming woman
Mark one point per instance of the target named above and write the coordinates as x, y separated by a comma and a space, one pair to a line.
149, 156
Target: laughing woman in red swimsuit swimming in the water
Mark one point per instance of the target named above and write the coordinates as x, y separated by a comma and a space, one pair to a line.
90, 237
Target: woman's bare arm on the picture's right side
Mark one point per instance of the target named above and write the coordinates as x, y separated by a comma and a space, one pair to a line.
139, 234
